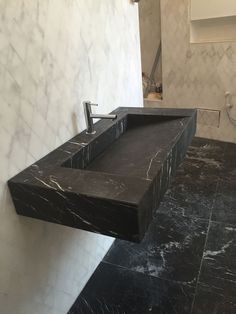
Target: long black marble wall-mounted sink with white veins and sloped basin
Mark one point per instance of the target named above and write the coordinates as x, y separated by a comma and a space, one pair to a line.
110, 182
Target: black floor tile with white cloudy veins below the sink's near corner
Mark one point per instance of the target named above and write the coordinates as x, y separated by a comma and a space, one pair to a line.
172, 249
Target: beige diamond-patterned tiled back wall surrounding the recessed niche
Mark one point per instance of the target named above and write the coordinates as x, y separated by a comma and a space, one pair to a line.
196, 75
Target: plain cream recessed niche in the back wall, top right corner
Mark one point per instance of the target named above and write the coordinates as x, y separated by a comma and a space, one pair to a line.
212, 21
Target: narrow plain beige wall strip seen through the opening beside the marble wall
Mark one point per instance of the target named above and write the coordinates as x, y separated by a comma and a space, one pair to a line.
150, 33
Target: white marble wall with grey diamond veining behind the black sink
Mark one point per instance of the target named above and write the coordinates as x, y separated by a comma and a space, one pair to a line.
53, 55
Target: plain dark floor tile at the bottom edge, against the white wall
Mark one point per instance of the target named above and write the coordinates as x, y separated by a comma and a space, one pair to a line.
116, 290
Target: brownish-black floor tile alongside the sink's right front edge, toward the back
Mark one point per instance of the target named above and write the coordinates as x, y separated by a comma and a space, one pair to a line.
192, 191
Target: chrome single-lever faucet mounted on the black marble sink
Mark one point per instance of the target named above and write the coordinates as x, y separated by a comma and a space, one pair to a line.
89, 116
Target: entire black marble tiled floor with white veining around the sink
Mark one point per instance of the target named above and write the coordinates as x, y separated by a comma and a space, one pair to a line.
187, 260
